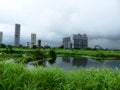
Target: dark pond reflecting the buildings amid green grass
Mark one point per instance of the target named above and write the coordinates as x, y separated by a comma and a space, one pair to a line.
69, 63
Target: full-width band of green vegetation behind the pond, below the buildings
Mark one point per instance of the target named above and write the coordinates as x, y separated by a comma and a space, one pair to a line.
42, 54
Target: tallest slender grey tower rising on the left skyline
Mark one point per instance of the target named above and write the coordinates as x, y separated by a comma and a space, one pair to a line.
17, 35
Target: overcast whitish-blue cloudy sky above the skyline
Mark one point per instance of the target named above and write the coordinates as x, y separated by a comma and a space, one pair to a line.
52, 20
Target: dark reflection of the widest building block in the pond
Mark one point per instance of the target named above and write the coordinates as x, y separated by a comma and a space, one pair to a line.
79, 62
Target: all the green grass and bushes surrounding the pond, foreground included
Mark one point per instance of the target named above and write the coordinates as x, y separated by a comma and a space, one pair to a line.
15, 76
